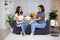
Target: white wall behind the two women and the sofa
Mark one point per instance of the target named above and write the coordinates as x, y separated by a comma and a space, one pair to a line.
27, 6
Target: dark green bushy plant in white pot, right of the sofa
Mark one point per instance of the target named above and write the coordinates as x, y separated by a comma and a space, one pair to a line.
52, 17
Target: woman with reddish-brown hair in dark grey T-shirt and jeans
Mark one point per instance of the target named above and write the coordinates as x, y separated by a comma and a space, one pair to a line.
39, 20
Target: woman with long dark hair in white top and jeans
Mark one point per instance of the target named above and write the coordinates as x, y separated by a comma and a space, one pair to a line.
20, 20
